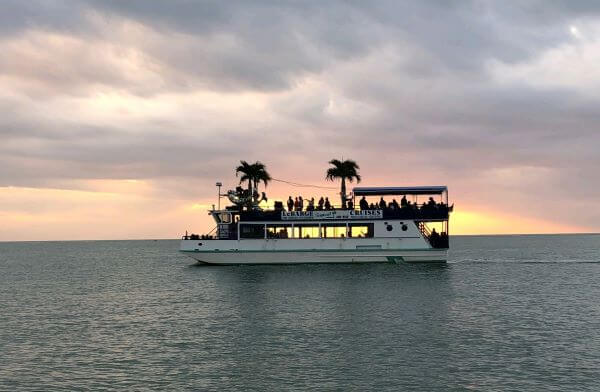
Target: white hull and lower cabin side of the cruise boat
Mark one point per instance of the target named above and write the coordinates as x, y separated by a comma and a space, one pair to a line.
383, 241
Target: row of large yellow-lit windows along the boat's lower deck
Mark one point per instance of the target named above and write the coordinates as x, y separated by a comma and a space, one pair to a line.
335, 230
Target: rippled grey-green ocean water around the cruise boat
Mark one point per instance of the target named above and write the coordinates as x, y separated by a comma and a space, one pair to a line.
507, 313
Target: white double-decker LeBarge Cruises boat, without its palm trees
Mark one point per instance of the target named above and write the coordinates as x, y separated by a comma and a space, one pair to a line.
370, 229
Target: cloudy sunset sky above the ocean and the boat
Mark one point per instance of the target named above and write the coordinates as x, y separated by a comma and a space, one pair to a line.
118, 117
